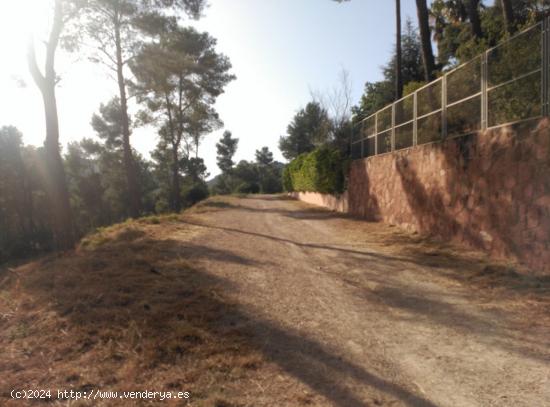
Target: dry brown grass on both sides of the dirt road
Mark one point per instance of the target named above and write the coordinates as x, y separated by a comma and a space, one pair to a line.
129, 310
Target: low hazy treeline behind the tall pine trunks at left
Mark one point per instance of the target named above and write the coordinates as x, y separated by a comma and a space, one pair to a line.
97, 186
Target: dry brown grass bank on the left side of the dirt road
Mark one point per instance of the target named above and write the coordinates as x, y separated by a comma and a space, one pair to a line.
126, 311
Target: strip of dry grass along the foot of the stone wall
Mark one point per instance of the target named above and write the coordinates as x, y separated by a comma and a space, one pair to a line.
506, 281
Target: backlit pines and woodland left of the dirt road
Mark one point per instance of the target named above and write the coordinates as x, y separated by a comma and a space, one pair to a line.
49, 198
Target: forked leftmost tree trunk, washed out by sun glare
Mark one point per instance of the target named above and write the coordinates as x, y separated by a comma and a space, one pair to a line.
56, 181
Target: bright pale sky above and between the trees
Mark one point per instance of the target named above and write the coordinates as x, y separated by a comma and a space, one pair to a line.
281, 50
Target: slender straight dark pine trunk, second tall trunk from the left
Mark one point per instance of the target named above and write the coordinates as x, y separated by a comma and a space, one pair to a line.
134, 203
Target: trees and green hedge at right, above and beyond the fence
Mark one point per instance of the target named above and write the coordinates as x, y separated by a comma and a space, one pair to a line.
461, 30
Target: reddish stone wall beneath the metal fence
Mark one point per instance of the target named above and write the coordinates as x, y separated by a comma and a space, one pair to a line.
488, 191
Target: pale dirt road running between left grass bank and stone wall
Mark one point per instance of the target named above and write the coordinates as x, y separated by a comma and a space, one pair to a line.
351, 313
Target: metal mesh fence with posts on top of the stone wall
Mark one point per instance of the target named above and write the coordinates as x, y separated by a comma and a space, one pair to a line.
506, 84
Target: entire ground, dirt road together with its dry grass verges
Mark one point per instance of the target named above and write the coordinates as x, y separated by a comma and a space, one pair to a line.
264, 301
